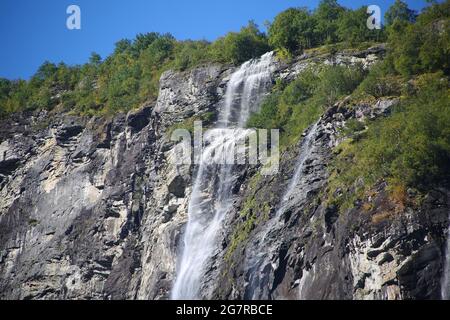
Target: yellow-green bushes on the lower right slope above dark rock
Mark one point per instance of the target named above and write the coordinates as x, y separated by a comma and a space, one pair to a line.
409, 148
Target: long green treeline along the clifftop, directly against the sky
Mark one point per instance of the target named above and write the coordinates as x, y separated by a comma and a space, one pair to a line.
130, 75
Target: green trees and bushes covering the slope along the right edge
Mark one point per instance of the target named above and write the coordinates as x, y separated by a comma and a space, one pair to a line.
411, 147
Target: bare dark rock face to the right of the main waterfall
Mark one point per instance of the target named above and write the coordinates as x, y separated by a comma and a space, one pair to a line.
314, 252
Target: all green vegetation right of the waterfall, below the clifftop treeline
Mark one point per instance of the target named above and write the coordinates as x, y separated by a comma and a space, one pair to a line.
410, 148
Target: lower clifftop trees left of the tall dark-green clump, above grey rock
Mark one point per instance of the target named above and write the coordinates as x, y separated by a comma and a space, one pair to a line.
128, 77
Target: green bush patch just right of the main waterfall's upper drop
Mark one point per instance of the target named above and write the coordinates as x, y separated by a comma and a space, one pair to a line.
296, 106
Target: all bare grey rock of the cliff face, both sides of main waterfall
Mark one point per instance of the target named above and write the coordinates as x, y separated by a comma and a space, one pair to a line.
94, 208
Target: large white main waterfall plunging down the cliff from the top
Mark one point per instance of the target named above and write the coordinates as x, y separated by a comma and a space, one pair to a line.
211, 197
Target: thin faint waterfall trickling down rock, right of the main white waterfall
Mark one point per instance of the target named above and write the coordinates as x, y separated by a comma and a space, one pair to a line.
258, 254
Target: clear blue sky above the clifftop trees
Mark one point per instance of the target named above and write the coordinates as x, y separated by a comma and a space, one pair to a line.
34, 31
